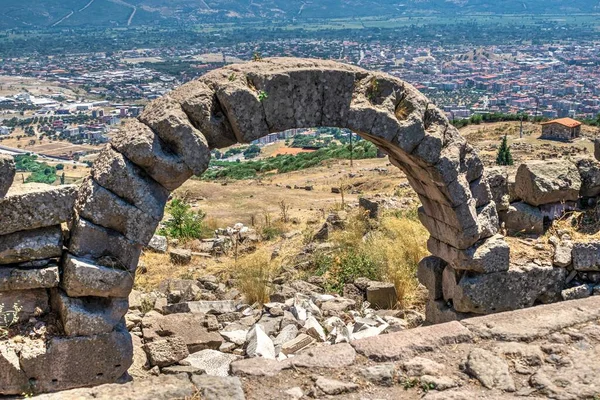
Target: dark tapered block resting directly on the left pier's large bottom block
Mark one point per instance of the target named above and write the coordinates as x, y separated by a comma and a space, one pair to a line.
87, 316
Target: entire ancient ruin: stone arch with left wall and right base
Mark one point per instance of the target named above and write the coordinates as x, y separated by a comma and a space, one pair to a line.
83, 270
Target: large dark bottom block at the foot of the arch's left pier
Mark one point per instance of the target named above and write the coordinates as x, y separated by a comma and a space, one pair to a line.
65, 363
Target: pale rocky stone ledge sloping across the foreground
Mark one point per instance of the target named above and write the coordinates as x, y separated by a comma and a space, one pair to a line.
550, 351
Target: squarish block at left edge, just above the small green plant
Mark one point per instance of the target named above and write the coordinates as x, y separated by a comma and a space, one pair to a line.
21, 305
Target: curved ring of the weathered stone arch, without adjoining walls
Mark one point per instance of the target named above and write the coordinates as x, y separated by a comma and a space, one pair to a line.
121, 203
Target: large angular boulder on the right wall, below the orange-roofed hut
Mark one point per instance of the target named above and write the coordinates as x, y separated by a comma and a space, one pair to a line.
543, 182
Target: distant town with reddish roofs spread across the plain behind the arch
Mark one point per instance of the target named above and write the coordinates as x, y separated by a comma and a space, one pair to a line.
81, 98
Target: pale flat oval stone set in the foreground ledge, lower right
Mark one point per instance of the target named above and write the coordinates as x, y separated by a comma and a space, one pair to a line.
489, 369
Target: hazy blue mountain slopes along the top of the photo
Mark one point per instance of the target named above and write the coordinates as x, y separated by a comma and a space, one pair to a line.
118, 13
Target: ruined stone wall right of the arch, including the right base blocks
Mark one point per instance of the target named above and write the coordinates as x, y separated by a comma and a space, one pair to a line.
528, 198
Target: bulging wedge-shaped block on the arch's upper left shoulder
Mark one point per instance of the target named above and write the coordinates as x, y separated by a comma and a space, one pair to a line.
168, 120
